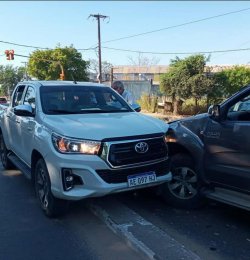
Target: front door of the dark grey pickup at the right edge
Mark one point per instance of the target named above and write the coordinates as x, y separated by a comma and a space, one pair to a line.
227, 146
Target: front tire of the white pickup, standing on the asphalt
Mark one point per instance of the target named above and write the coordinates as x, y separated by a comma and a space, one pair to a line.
51, 206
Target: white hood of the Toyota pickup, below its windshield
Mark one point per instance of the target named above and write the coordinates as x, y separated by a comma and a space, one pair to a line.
104, 125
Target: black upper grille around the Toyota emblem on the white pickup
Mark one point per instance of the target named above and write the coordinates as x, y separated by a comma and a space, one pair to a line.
121, 154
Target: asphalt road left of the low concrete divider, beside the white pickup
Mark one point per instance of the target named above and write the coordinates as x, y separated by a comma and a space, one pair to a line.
25, 233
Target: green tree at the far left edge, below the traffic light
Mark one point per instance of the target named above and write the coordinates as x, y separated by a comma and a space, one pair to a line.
9, 77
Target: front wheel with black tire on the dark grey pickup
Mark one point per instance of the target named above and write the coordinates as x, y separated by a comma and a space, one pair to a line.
183, 191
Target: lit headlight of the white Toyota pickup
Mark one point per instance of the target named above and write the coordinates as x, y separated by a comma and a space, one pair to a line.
67, 145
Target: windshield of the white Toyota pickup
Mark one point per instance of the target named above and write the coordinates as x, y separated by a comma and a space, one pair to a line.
80, 99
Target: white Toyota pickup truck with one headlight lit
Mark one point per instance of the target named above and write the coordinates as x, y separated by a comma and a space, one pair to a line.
76, 140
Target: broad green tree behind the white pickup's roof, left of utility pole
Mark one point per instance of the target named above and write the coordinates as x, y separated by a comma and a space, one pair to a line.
49, 64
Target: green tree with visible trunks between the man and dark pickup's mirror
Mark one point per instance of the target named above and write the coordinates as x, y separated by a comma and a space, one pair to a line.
186, 78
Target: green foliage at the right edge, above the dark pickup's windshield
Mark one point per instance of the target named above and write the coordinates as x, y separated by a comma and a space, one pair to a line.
231, 80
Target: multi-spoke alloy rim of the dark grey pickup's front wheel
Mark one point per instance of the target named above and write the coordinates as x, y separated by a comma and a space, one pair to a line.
184, 183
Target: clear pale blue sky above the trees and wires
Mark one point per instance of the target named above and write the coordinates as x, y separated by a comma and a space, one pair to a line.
157, 30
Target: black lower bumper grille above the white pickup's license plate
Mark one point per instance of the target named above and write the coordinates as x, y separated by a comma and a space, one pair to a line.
119, 176
